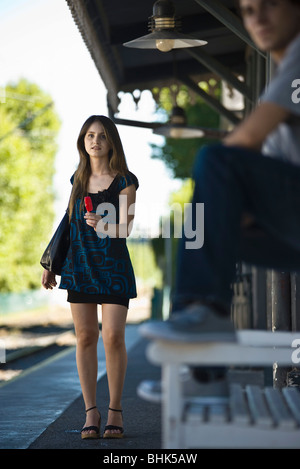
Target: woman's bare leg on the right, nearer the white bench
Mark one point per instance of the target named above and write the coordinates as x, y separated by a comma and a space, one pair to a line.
113, 333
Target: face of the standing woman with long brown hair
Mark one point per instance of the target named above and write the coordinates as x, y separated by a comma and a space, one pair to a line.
95, 141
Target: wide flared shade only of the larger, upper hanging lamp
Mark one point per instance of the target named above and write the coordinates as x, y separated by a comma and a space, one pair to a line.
150, 41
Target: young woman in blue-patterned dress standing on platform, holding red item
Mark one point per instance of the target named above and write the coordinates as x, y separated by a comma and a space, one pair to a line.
98, 268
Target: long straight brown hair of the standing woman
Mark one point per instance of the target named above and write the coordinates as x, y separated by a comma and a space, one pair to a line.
117, 159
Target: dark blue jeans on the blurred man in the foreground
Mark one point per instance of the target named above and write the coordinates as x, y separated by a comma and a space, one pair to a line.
232, 181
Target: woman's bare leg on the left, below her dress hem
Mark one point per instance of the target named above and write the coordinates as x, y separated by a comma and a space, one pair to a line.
85, 319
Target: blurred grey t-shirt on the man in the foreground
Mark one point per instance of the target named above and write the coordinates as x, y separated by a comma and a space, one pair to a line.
284, 90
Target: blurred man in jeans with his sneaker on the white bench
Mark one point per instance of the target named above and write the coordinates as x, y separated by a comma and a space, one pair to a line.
255, 171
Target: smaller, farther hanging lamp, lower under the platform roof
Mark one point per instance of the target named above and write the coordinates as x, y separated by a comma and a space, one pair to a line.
177, 126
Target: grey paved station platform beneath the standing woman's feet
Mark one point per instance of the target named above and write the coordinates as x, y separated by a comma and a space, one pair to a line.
44, 409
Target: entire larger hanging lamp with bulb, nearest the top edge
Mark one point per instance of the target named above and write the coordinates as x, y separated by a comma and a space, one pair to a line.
164, 34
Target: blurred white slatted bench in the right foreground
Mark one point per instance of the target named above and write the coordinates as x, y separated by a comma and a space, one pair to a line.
248, 417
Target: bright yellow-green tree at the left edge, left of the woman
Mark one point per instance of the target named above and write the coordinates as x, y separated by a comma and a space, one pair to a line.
29, 127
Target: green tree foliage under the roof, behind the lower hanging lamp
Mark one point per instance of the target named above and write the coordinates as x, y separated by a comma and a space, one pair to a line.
179, 154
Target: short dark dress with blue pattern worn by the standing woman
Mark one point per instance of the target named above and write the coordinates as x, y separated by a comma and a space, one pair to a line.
99, 267
